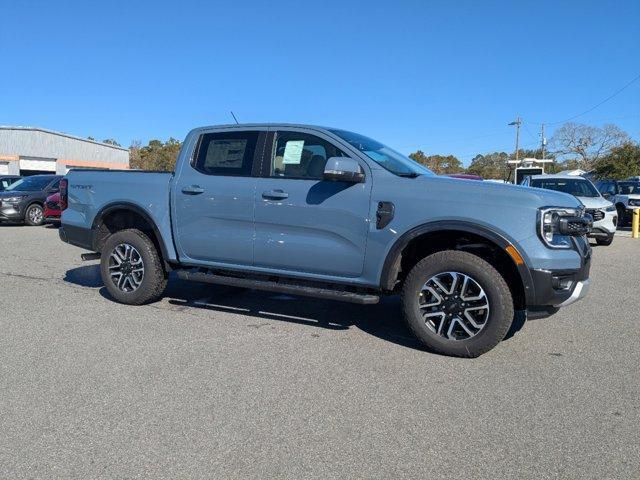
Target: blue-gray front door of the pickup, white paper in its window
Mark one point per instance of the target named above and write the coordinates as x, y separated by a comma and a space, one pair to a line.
304, 223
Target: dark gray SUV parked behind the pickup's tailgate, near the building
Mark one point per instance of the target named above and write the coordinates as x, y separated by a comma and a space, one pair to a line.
23, 201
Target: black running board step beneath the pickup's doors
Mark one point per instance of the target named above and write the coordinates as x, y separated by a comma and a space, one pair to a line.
271, 286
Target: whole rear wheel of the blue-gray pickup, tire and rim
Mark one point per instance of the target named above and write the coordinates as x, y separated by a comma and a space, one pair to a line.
131, 268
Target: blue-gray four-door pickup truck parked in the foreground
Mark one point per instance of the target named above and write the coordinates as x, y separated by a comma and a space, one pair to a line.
332, 214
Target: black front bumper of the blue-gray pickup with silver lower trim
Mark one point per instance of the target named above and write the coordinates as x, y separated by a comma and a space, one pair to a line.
558, 288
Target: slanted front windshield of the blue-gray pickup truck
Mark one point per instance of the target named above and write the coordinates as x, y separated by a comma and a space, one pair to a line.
384, 156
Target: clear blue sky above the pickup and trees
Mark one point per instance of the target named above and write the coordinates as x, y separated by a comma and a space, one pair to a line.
444, 77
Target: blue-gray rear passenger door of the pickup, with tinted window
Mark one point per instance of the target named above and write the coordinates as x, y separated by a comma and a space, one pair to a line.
214, 198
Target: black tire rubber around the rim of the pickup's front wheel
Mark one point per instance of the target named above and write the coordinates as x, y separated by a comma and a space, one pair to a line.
501, 311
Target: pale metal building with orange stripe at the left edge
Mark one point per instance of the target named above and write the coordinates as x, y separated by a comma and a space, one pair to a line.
30, 151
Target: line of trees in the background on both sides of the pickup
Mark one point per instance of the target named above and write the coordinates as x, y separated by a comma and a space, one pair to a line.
606, 150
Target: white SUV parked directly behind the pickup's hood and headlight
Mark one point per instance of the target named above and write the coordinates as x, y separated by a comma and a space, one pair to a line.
604, 213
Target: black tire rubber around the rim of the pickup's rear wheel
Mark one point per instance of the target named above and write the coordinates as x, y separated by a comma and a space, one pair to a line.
155, 277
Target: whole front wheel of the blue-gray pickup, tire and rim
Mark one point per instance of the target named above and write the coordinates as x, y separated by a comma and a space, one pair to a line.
457, 304
